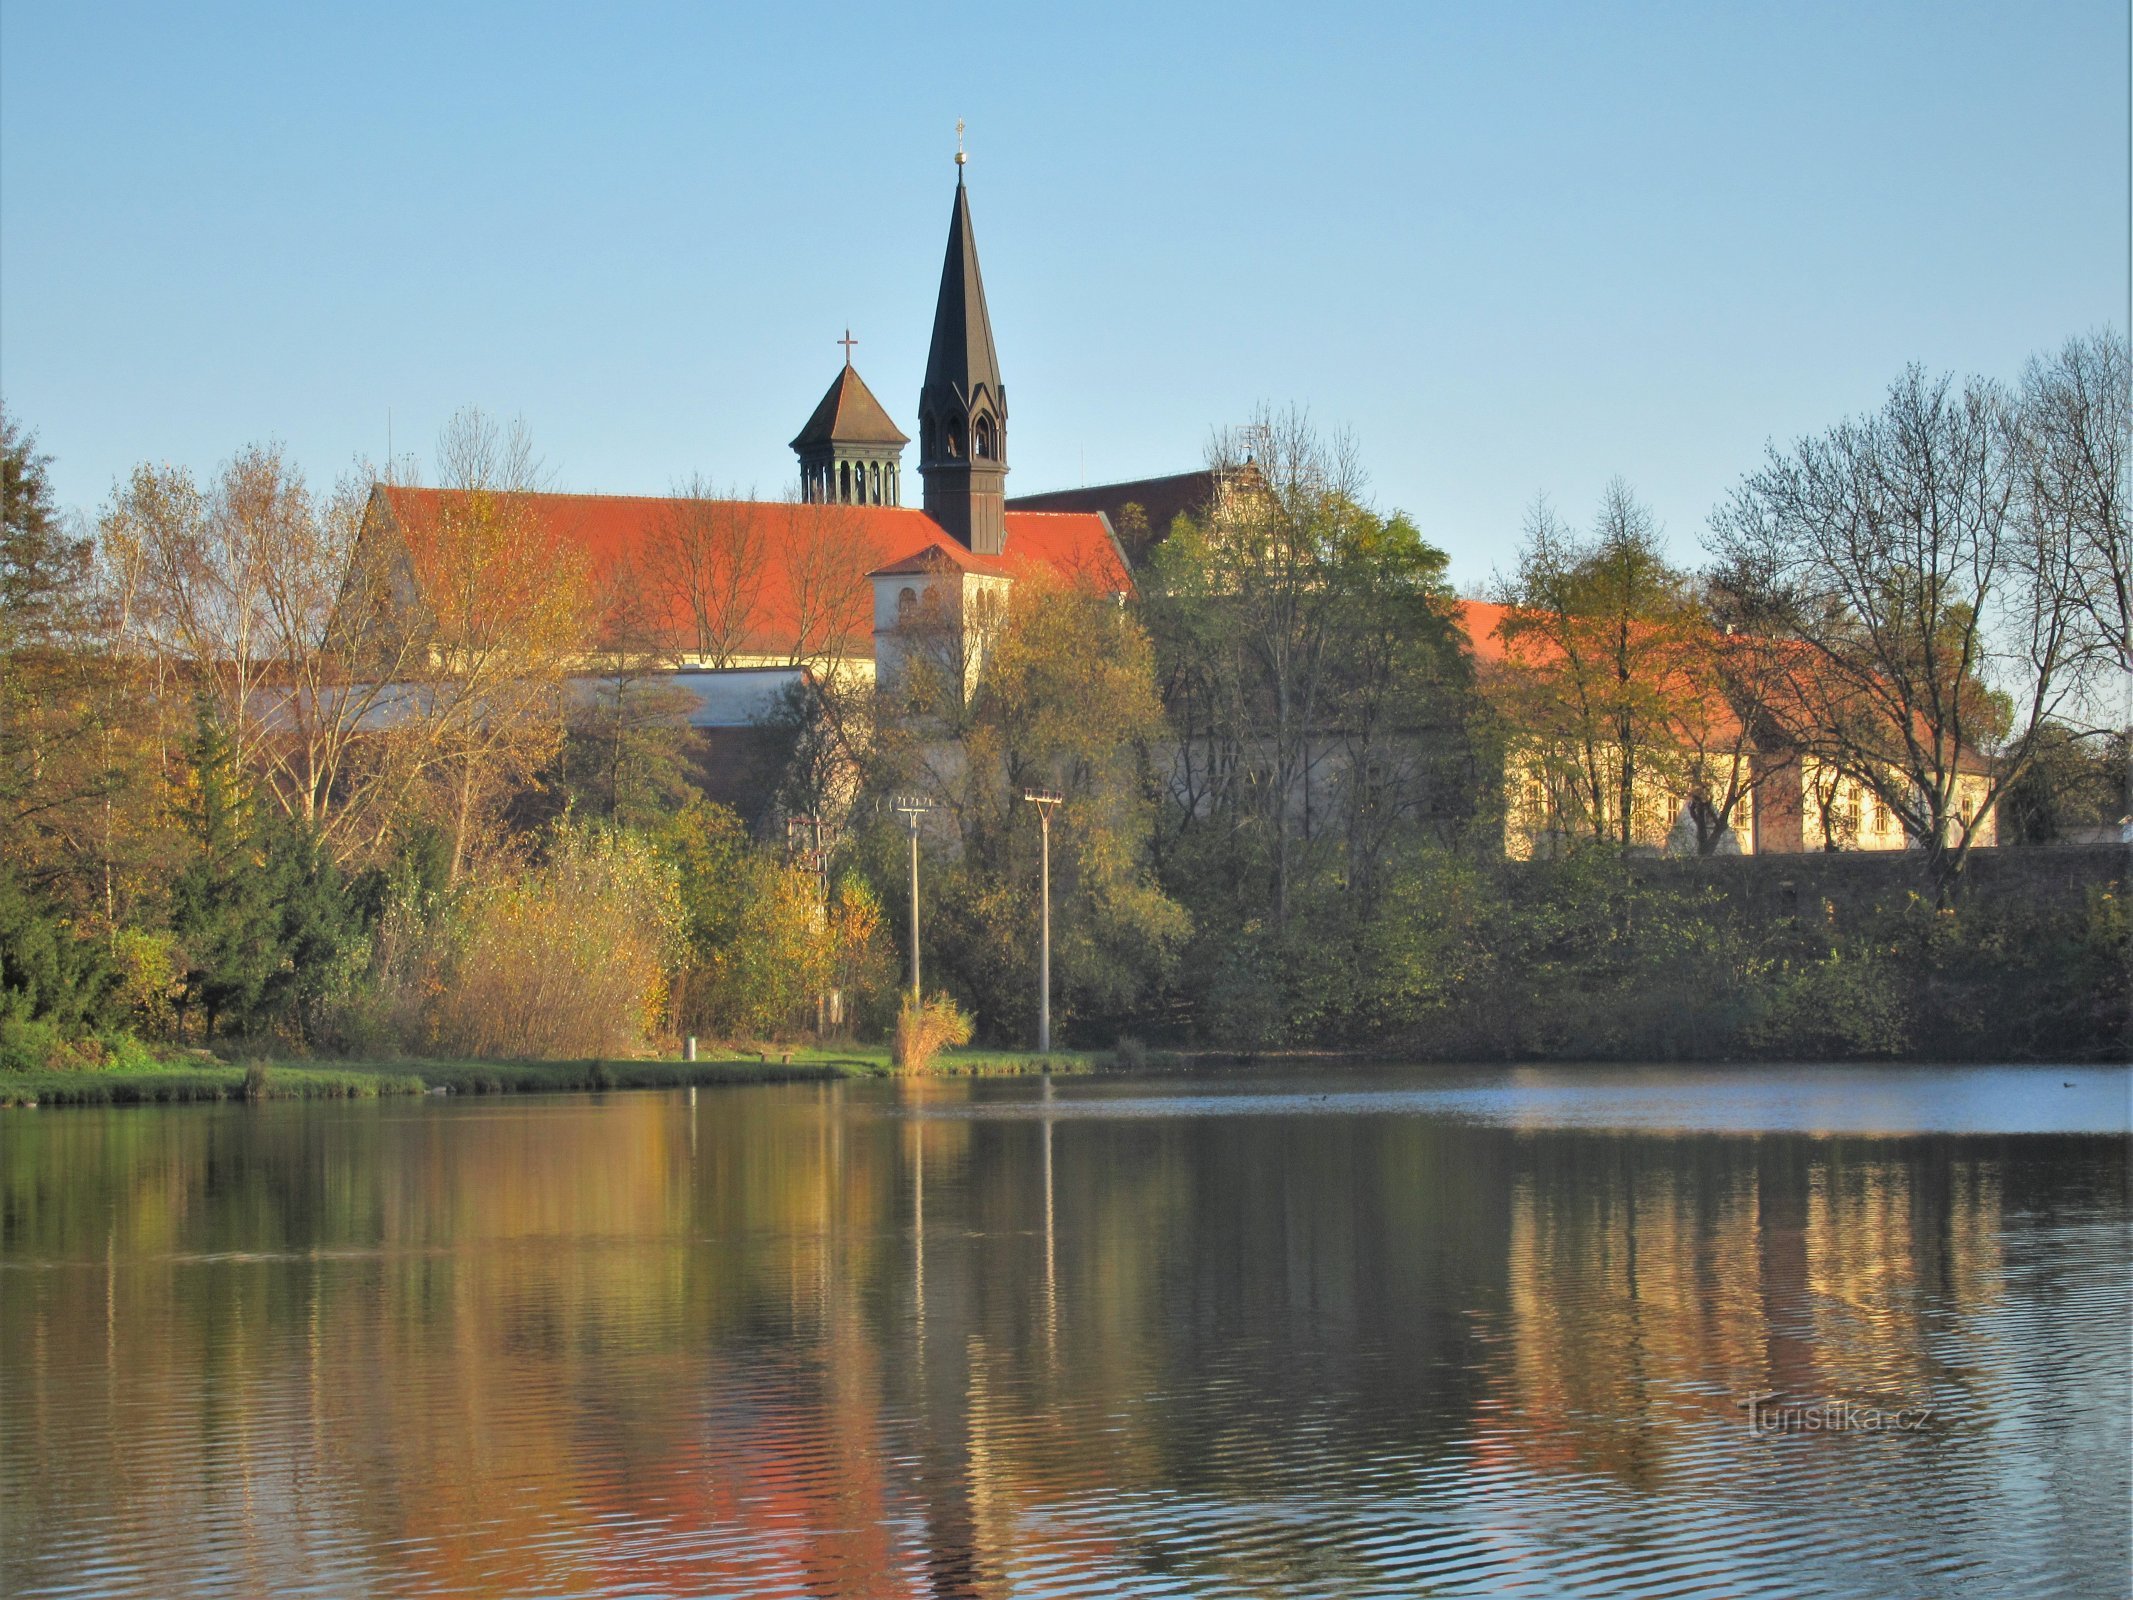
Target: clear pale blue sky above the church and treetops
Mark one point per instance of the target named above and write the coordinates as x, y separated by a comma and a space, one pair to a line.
1511, 249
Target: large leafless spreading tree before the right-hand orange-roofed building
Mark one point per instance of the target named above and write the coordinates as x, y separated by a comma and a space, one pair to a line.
1923, 626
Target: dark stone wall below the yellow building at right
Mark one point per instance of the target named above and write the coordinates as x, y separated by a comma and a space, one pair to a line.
1776, 886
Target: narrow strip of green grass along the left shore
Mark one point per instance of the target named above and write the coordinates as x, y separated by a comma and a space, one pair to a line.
197, 1081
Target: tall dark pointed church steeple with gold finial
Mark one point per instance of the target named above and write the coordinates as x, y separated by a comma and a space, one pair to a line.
963, 406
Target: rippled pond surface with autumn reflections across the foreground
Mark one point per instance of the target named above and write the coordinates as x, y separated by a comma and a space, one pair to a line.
1353, 1334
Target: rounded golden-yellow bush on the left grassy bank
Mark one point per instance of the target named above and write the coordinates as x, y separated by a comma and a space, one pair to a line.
562, 961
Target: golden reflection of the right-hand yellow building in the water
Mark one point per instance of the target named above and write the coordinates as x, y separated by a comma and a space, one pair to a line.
1650, 1300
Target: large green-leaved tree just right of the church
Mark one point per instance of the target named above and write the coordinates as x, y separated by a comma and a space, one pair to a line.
1321, 722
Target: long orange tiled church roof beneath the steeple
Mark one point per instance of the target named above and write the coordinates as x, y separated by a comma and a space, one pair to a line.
801, 551
